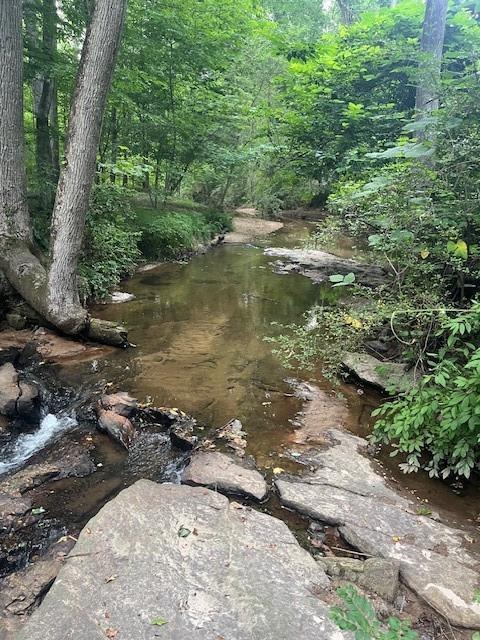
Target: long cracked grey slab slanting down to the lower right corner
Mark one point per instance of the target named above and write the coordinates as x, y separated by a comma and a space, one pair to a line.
346, 491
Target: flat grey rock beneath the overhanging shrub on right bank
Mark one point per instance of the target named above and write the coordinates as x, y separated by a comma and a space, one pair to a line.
382, 375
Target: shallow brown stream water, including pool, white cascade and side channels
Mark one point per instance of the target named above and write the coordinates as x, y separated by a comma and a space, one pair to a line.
200, 330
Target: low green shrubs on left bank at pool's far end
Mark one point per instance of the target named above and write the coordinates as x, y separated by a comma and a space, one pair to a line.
168, 236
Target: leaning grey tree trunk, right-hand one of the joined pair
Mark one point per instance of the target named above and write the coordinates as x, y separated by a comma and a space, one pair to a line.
68, 223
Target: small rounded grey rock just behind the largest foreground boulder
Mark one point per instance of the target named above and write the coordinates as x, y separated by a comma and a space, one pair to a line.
217, 471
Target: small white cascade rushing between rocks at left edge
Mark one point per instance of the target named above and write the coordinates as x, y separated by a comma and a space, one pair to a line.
27, 444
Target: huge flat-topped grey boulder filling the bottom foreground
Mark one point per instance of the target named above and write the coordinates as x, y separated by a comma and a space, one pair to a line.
209, 568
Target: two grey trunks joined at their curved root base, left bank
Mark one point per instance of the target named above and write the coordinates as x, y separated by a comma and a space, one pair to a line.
54, 299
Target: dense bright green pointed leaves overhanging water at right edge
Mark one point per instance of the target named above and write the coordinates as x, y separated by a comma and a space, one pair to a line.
436, 424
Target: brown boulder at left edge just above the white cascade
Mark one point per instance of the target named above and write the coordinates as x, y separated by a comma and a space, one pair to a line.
18, 398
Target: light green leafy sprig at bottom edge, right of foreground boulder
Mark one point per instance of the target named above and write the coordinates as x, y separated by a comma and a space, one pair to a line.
358, 616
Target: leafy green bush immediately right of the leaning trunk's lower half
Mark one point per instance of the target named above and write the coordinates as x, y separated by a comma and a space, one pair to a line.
111, 241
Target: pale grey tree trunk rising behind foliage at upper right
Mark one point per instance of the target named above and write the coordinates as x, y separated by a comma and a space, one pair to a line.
431, 49
